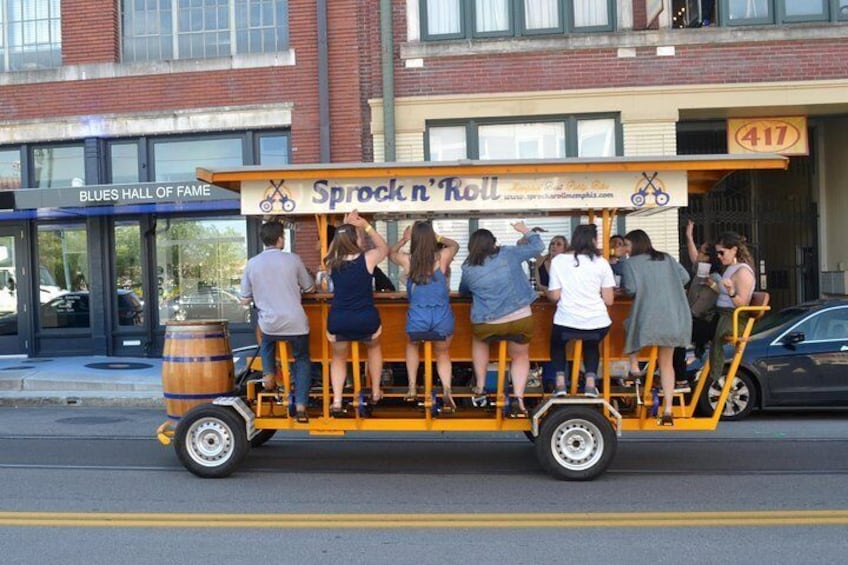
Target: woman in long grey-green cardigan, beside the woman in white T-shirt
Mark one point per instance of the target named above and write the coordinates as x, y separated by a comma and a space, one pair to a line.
660, 313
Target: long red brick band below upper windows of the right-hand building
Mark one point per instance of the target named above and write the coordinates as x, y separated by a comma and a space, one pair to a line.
599, 68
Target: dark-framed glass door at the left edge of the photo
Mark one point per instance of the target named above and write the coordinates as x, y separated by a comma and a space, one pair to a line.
14, 292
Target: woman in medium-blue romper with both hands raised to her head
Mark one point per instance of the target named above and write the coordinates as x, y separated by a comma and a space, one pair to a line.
429, 302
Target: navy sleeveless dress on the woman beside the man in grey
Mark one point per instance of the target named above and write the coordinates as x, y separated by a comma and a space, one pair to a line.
352, 310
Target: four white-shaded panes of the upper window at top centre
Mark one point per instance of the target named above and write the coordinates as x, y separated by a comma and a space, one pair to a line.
457, 19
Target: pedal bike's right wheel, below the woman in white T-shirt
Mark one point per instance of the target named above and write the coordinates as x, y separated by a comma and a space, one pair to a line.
576, 444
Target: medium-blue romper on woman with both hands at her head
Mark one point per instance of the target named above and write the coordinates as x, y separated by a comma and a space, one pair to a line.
429, 306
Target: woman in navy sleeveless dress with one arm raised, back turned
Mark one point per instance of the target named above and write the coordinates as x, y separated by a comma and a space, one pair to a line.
353, 316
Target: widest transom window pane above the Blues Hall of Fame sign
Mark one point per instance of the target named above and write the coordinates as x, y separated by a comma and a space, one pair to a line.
178, 160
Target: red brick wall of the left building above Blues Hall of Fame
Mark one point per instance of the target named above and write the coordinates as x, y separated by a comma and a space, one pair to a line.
91, 35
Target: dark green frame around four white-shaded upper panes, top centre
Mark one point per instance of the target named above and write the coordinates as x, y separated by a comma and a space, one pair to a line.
517, 25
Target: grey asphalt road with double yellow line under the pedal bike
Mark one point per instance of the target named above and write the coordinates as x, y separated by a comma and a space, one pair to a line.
94, 486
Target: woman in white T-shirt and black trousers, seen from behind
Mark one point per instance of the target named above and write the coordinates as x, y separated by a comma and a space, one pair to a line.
582, 285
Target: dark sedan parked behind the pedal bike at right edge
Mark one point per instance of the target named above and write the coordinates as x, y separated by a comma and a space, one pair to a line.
797, 357
